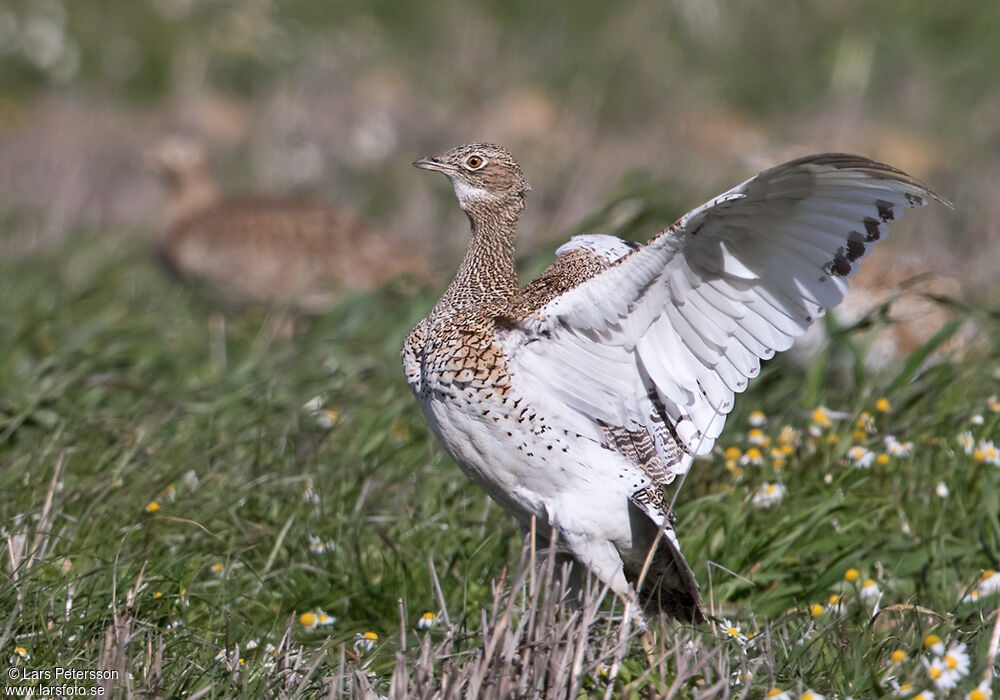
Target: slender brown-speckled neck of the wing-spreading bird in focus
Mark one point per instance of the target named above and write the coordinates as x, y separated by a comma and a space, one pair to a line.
487, 273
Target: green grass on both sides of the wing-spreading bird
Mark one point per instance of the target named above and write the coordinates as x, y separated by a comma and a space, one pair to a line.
117, 384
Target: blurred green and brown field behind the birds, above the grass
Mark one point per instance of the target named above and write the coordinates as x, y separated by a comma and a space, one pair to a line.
664, 101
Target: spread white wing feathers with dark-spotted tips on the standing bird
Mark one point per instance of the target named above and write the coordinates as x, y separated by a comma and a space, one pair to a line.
666, 337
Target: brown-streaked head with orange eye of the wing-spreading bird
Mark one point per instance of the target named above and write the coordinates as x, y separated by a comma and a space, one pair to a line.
482, 174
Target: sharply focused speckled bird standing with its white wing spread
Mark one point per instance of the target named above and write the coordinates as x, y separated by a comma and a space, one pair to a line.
576, 399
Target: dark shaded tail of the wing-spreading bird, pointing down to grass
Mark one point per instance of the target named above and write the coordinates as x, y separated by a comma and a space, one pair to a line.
668, 584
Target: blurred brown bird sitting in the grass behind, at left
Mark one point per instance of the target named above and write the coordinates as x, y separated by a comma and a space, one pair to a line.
262, 249
